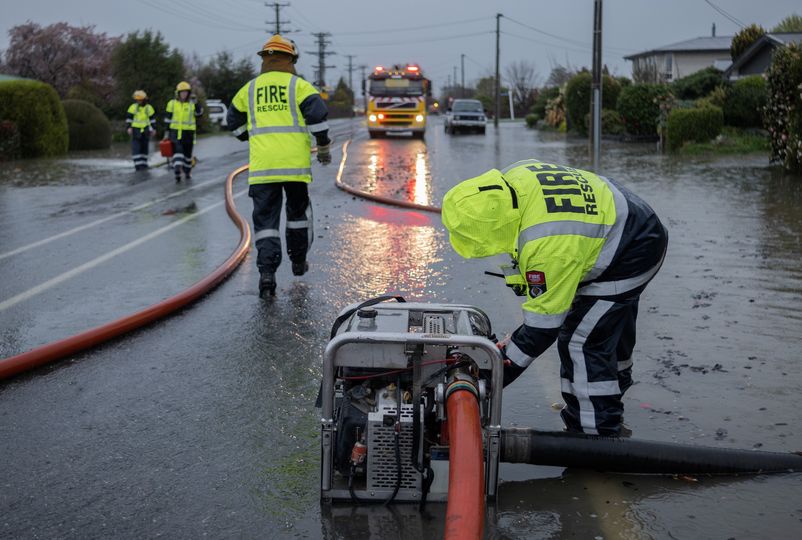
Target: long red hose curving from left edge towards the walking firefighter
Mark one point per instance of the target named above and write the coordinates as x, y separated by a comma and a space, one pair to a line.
90, 338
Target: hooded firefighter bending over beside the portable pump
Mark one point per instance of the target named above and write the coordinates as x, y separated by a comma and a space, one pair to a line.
583, 249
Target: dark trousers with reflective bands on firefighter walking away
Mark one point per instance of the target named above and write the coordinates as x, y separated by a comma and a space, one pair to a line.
267, 200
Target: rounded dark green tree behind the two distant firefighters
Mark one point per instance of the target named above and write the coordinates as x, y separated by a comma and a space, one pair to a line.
144, 61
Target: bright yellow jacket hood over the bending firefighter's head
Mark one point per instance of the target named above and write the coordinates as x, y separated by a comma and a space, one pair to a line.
483, 216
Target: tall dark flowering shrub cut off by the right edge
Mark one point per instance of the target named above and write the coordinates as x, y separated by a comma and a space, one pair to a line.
784, 106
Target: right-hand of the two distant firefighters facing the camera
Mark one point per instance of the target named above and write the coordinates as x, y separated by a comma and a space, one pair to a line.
180, 115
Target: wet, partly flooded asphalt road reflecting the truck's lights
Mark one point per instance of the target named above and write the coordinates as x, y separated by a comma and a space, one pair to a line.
203, 425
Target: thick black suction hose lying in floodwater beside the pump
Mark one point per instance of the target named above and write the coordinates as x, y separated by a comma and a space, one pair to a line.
611, 454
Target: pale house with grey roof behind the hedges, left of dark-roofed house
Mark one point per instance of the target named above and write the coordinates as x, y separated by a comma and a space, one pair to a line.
671, 62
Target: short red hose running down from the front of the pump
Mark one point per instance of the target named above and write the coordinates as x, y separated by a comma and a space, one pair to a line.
465, 515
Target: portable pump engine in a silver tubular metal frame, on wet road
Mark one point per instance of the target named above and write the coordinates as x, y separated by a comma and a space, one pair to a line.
387, 374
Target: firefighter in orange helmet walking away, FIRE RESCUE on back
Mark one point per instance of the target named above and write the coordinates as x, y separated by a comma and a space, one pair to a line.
275, 112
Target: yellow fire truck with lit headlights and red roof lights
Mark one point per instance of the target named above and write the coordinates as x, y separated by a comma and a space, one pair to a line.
397, 100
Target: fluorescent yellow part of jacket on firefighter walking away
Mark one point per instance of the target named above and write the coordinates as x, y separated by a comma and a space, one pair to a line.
279, 139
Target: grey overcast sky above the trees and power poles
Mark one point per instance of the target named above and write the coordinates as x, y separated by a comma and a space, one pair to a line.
428, 32
